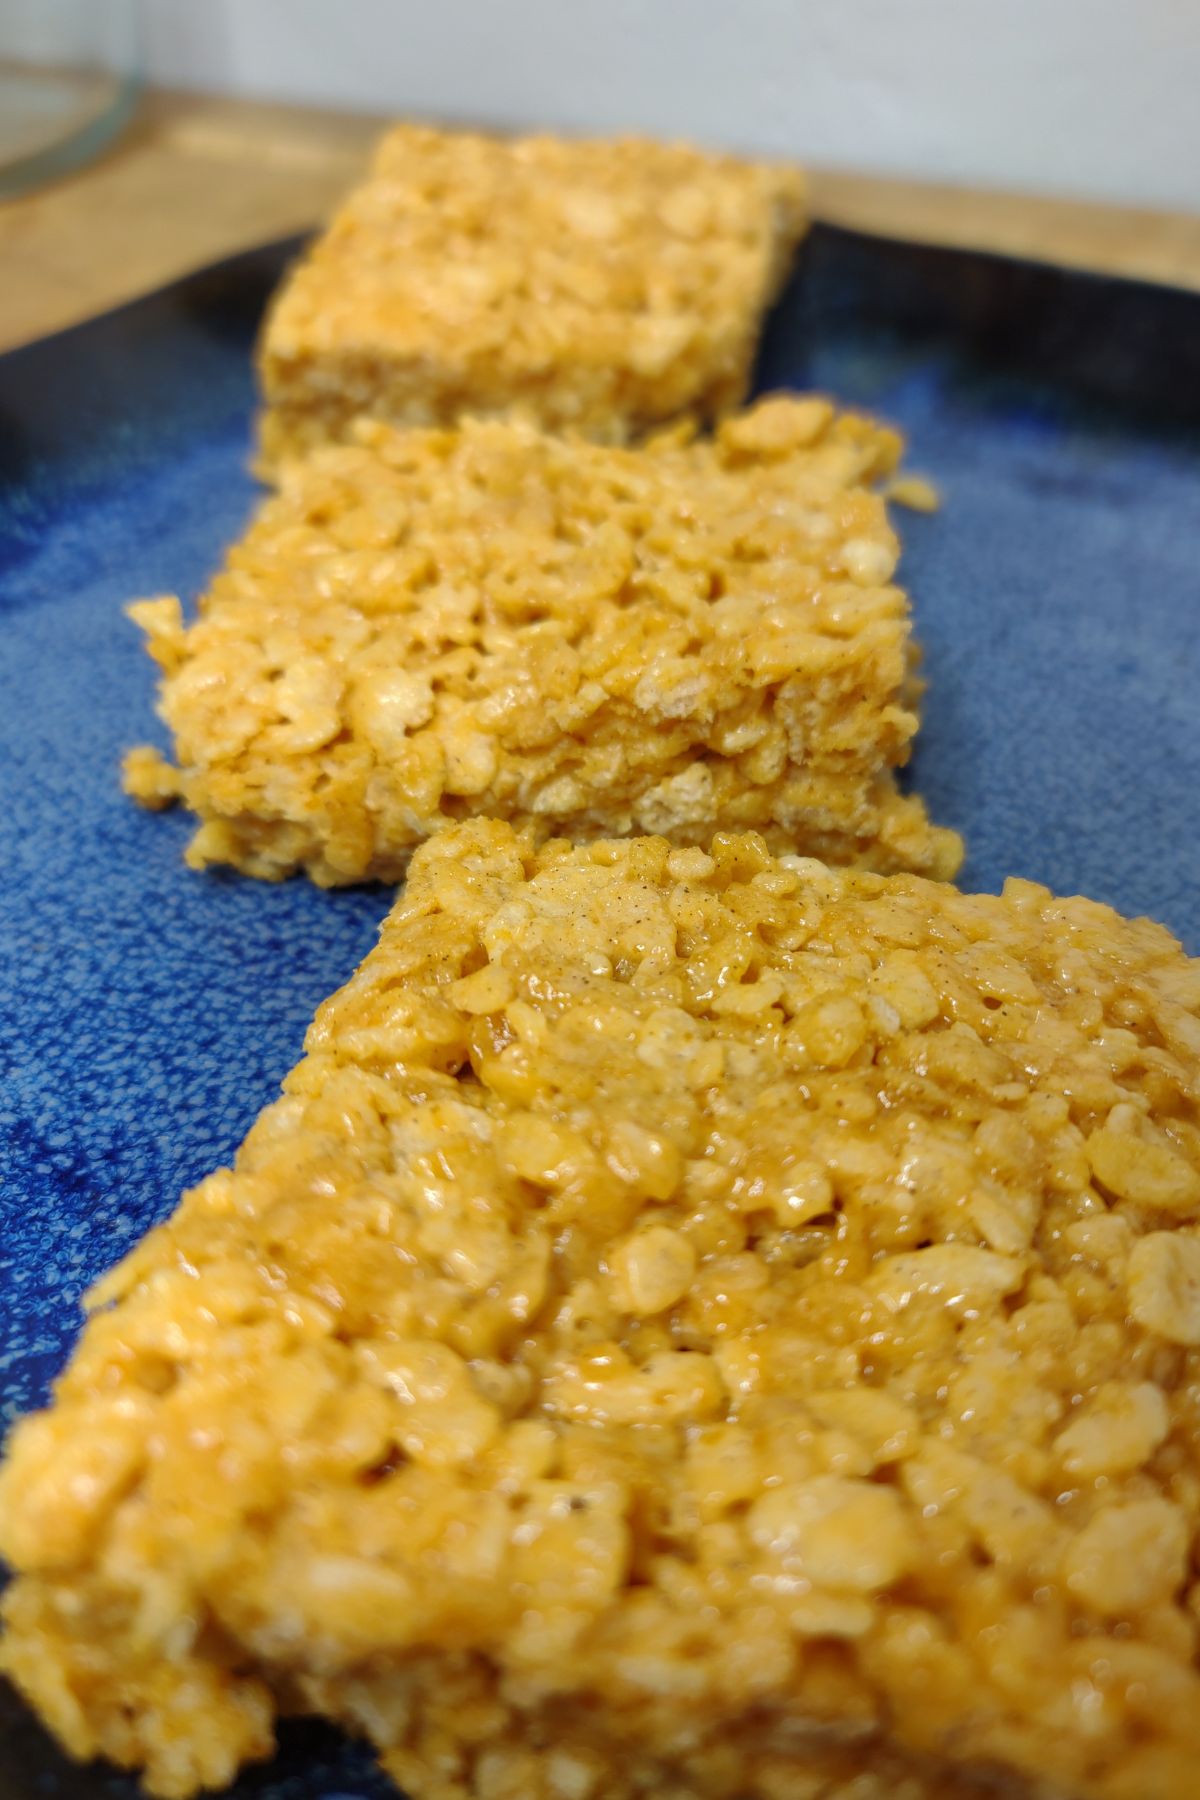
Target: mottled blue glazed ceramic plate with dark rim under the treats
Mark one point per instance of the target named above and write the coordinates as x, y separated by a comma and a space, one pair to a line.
148, 1014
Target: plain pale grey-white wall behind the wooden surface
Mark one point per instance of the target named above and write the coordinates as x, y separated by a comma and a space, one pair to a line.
1059, 96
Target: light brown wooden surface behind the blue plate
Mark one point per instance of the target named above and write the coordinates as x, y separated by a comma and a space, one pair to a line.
197, 179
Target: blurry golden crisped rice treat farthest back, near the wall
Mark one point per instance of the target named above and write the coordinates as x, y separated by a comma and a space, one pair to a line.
604, 287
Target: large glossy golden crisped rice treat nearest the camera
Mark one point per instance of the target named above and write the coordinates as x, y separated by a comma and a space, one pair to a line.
697, 1326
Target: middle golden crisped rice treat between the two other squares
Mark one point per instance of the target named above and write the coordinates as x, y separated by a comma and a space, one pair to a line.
683, 638
